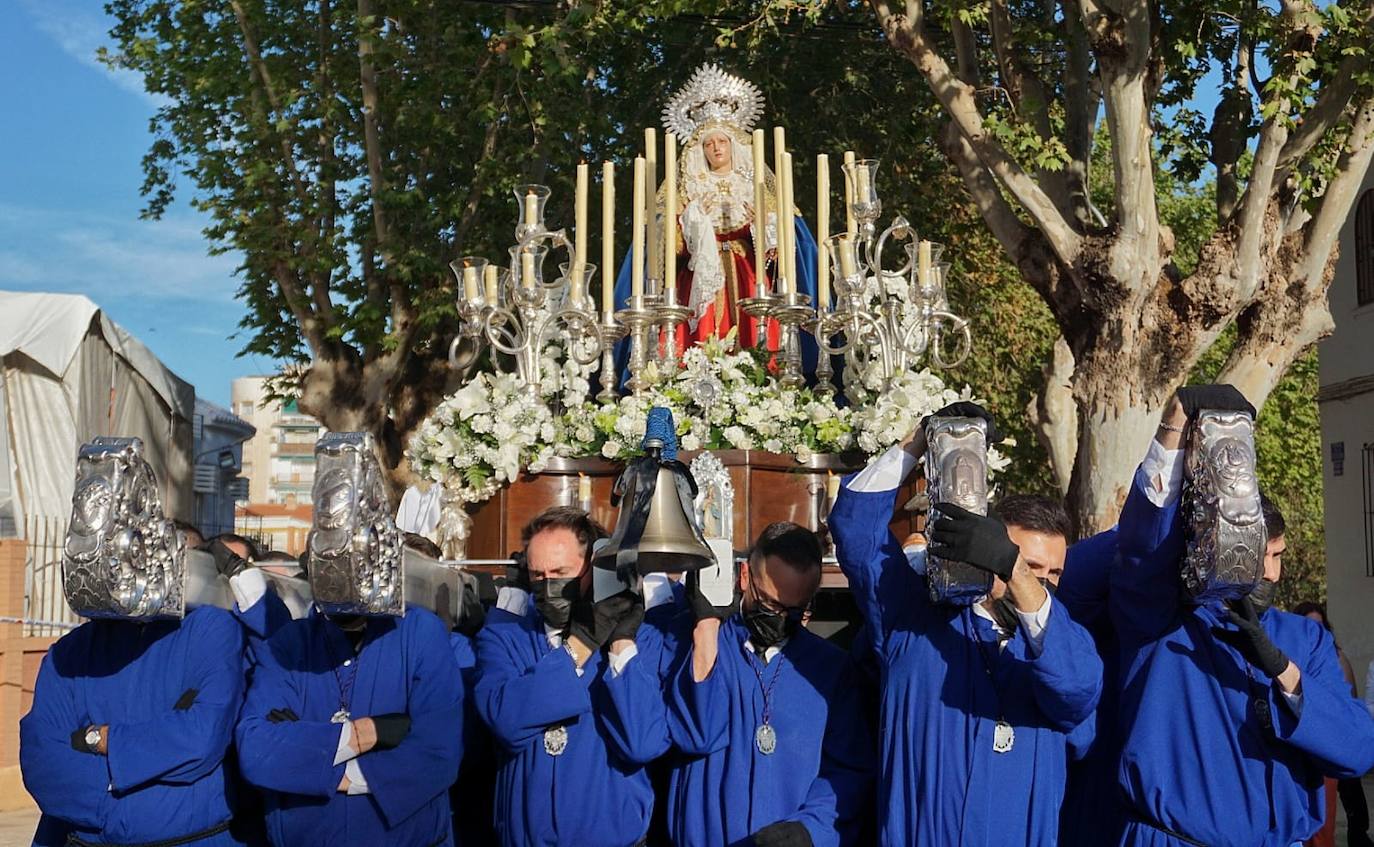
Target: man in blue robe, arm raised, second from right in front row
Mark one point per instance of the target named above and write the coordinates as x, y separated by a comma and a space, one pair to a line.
978, 703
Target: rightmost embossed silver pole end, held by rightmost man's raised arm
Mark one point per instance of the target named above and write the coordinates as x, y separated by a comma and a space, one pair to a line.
1224, 520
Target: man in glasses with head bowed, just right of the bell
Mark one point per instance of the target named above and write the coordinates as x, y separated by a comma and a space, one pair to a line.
774, 747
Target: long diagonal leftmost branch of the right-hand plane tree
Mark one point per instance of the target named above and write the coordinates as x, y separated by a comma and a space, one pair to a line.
908, 35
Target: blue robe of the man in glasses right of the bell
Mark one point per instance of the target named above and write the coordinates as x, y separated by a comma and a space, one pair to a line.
722, 787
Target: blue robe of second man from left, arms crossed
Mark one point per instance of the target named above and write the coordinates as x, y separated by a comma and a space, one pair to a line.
406, 665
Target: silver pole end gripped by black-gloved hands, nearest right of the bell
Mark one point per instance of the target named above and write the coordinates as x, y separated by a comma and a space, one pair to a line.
957, 472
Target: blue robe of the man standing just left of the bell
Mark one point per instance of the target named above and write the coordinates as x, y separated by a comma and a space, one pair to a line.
596, 793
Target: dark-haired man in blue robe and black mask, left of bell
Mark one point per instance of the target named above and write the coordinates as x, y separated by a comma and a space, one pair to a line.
575, 725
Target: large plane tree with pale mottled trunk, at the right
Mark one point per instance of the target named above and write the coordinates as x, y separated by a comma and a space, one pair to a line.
1022, 87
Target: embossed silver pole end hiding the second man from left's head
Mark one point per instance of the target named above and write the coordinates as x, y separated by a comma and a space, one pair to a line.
355, 562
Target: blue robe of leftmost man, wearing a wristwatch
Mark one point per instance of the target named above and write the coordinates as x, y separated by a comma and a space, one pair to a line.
164, 775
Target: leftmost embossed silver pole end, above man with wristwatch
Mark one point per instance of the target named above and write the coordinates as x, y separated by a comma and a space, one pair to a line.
123, 559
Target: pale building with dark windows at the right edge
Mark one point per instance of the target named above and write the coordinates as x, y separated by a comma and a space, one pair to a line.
1347, 402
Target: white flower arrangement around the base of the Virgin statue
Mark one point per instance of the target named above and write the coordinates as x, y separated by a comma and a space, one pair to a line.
494, 428
